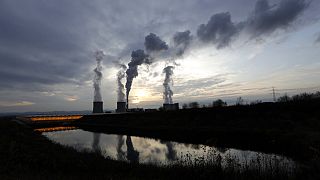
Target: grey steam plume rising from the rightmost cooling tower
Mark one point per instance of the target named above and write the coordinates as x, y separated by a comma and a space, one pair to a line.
167, 93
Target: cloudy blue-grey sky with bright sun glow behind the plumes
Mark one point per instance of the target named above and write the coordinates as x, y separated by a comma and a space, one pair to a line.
233, 48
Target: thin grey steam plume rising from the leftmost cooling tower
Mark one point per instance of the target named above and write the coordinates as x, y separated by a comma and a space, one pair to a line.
98, 76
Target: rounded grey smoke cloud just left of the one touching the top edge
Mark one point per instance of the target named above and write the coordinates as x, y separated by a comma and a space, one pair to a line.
219, 30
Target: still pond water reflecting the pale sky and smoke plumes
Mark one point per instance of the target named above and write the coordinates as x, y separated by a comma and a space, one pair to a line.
154, 151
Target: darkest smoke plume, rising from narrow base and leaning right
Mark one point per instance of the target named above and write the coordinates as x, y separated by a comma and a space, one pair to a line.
138, 57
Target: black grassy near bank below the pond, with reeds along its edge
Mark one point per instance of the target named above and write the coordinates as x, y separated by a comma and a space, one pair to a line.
25, 154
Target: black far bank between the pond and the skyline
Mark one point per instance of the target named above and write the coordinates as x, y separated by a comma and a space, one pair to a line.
290, 129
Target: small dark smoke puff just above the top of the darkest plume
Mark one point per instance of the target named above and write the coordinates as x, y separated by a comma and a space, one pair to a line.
154, 43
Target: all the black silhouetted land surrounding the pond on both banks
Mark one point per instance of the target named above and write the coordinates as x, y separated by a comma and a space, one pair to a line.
291, 129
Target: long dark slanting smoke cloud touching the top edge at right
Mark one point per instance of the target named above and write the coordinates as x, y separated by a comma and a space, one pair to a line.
266, 19
